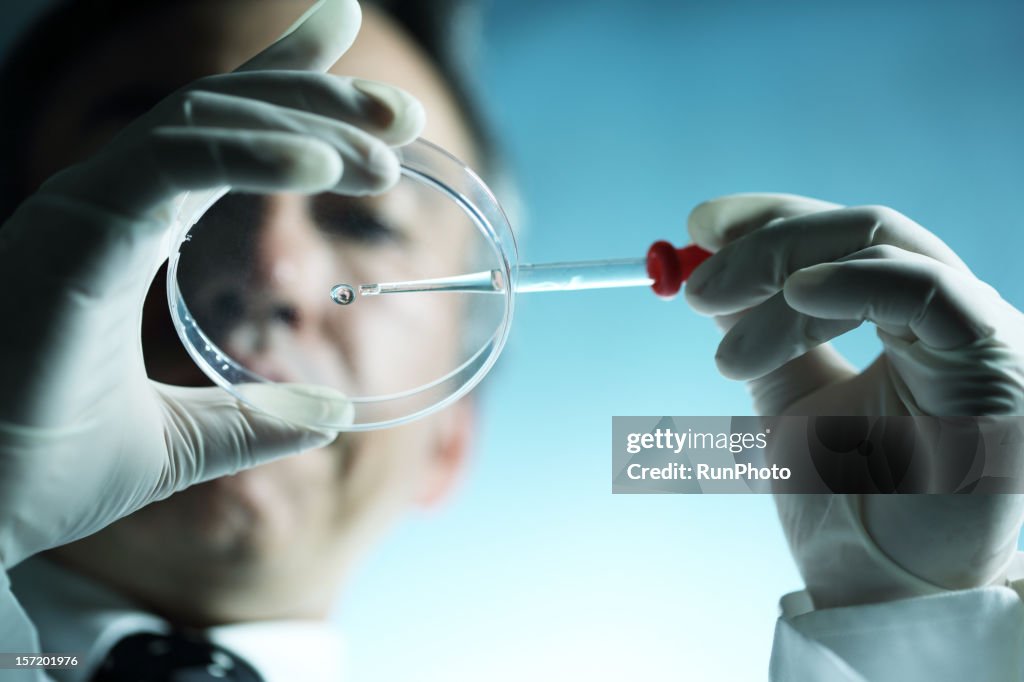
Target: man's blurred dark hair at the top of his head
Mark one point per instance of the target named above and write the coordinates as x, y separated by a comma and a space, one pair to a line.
444, 29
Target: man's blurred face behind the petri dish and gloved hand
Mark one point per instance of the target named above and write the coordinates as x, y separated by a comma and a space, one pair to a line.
284, 531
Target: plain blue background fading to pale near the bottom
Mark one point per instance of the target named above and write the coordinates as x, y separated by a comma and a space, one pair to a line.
618, 118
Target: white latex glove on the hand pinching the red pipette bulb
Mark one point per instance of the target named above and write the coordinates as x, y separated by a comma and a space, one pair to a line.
790, 274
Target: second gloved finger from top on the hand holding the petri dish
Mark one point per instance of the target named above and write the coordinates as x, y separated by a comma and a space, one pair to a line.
381, 110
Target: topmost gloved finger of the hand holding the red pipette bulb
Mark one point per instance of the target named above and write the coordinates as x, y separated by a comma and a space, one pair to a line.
714, 224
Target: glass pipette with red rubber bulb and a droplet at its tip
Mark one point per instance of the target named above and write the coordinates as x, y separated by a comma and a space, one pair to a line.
665, 269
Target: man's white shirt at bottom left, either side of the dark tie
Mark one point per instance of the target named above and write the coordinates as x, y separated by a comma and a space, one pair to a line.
74, 615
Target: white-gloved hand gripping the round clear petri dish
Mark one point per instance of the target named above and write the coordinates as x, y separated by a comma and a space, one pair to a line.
86, 438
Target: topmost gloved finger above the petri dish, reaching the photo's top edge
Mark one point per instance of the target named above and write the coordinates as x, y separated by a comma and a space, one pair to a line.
315, 42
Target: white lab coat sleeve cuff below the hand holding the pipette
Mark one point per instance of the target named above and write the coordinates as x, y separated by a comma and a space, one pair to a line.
936, 635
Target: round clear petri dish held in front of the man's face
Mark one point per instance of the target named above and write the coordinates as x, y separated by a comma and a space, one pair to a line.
264, 294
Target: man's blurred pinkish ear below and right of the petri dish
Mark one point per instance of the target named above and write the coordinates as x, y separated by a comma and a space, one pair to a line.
452, 452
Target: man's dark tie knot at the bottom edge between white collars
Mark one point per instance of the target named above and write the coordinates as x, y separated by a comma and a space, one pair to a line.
175, 658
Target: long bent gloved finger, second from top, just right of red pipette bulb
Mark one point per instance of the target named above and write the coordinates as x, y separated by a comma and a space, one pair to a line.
754, 268
